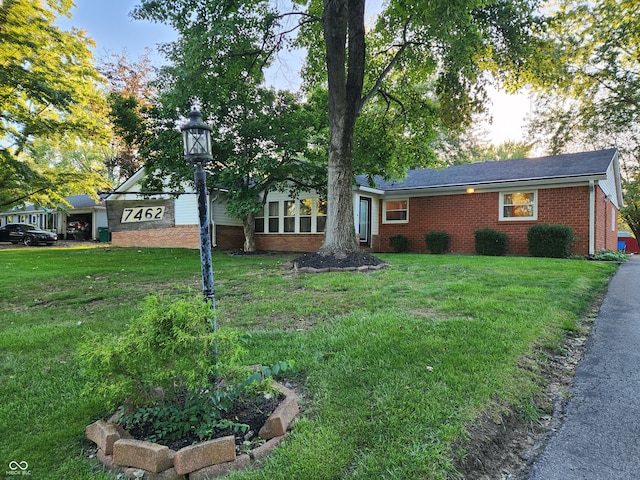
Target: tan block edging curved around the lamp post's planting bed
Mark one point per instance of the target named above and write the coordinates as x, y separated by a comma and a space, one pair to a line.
120, 453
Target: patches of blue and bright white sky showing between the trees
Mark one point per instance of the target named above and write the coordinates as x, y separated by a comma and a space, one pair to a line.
108, 23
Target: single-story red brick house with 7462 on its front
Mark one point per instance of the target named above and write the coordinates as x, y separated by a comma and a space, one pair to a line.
582, 190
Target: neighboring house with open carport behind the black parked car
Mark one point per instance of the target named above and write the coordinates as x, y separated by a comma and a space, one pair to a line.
85, 214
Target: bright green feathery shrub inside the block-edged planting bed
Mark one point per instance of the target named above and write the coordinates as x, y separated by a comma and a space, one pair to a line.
167, 350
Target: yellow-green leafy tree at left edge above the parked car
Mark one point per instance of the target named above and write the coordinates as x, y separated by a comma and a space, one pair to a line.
49, 101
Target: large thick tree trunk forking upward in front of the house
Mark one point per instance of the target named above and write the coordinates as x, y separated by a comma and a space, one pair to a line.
343, 22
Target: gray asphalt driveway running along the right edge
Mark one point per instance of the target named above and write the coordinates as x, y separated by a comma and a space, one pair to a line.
599, 438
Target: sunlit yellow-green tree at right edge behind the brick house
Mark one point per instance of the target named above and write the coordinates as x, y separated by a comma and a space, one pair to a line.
589, 94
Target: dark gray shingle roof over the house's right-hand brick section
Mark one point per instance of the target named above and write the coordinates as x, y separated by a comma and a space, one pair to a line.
569, 165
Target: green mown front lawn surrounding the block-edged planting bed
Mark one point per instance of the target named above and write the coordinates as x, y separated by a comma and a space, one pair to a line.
393, 365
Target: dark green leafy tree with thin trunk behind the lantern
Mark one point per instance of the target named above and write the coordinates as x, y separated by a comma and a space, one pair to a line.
261, 137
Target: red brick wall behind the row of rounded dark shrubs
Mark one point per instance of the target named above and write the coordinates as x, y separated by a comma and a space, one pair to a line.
461, 215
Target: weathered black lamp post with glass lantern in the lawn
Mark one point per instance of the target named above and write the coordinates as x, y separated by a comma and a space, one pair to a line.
197, 151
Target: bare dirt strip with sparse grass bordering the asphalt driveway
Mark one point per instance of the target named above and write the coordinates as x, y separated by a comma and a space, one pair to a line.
504, 445
